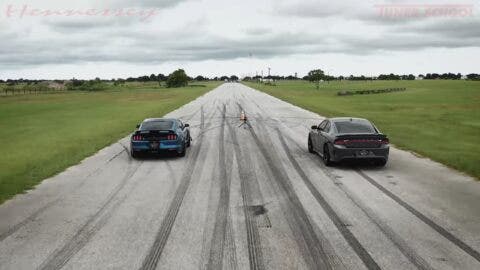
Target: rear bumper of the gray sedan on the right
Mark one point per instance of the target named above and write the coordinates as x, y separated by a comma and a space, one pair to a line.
342, 153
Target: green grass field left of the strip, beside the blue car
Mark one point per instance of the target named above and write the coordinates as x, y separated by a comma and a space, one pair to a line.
43, 134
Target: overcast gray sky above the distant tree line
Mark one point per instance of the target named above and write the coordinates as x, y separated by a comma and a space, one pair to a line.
121, 38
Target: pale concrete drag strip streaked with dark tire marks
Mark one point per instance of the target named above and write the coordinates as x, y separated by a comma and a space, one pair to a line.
244, 197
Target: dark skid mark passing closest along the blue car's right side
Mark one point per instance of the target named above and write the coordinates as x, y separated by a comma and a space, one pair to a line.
152, 258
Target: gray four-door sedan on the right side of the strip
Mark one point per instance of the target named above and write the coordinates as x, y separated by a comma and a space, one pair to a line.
342, 138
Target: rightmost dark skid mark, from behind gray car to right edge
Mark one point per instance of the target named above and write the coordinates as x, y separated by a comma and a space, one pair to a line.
439, 229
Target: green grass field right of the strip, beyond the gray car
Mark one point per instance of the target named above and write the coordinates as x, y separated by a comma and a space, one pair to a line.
439, 119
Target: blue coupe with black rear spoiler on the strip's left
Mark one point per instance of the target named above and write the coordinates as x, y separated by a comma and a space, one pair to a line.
154, 135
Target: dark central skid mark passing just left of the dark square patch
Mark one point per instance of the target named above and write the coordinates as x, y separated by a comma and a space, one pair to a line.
253, 238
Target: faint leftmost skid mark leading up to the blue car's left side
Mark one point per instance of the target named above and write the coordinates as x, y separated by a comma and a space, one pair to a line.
42, 209
